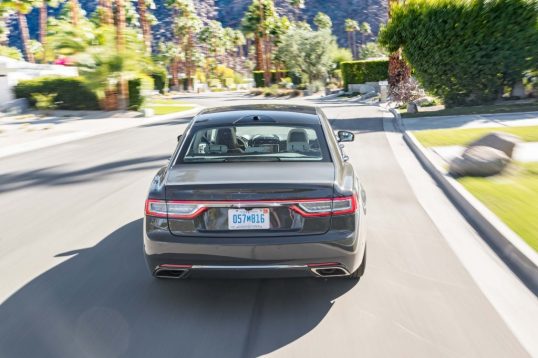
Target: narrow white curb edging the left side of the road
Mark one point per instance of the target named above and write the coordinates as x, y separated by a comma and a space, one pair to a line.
61, 139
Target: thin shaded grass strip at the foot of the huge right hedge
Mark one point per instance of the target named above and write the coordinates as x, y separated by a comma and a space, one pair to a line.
507, 108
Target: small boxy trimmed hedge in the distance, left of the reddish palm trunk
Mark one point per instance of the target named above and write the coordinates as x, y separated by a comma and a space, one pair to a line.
357, 72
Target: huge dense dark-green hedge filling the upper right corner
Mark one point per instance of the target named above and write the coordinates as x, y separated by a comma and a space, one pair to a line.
465, 51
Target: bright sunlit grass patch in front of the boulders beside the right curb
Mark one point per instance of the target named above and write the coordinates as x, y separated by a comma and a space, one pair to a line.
513, 197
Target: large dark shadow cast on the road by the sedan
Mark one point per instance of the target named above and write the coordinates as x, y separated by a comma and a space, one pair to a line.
102, 302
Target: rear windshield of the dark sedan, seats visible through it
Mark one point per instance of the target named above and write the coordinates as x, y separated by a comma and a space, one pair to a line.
255, 143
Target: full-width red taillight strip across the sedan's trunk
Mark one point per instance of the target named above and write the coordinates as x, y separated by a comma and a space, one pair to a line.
204, 205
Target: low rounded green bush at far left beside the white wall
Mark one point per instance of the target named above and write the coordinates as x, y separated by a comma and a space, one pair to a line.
70, 92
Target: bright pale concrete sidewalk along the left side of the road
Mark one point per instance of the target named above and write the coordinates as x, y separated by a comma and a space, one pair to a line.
23, 133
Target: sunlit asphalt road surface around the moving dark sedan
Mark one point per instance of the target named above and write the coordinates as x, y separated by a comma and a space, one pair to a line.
74, 282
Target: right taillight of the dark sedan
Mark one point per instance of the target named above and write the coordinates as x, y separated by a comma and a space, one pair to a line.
326, 207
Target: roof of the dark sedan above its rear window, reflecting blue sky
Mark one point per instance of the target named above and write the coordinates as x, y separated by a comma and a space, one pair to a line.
265, 113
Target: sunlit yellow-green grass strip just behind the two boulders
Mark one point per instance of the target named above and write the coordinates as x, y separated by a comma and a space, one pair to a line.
440, 137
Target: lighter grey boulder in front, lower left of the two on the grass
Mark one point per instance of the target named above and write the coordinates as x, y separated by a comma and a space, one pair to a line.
479, 161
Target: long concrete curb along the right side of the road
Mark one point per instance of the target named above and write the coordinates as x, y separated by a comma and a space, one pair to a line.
516, 254
